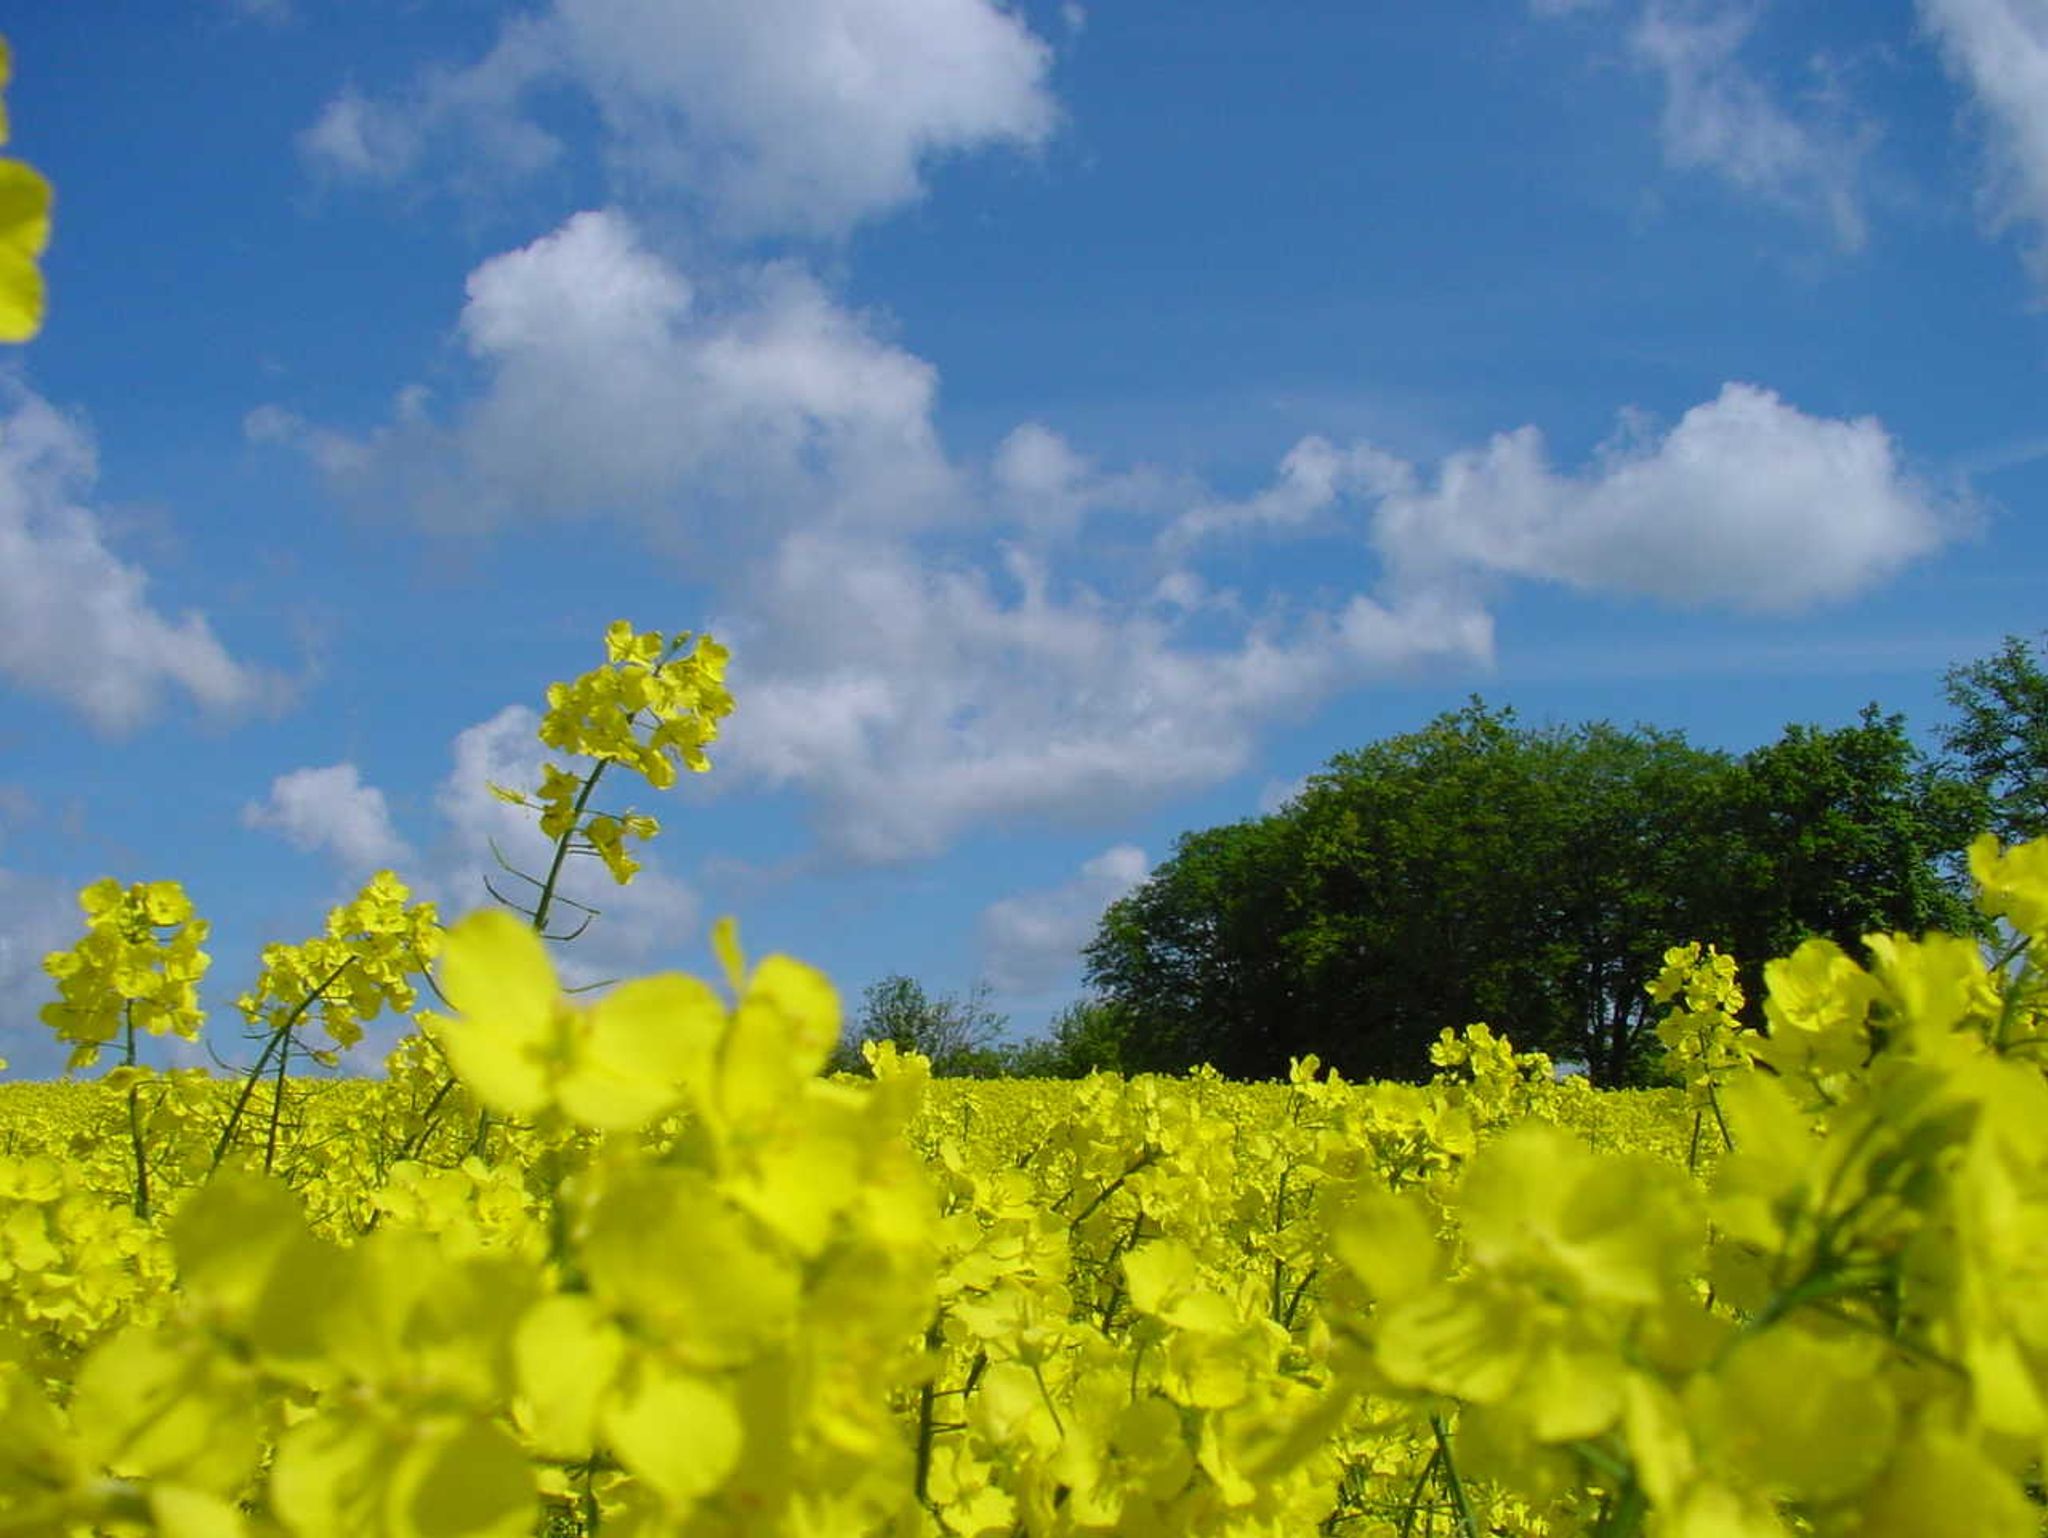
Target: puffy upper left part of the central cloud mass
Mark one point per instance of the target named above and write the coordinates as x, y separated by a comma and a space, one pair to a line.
611, 386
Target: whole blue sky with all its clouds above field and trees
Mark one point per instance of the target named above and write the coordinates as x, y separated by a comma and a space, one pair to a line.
1078, 421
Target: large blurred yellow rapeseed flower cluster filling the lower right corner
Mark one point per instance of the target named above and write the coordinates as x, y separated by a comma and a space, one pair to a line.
1617, 1342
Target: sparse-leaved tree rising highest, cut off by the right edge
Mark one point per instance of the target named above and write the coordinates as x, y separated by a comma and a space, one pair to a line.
1998, 744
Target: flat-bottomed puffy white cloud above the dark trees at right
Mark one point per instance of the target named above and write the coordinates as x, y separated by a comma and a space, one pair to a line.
1746, 503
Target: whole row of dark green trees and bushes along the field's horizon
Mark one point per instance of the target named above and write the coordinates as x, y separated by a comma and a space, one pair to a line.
1531, 878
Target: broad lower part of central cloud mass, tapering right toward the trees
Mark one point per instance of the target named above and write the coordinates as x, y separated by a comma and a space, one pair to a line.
914, 703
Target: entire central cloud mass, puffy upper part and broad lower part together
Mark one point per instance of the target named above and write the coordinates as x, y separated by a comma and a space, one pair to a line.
910, 699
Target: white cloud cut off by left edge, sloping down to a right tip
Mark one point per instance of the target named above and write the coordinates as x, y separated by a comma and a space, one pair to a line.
75, 620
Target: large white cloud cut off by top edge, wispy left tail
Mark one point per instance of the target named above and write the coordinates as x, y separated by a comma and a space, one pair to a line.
781, 116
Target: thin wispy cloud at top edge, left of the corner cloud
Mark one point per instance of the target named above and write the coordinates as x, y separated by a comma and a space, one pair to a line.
1723, 120
